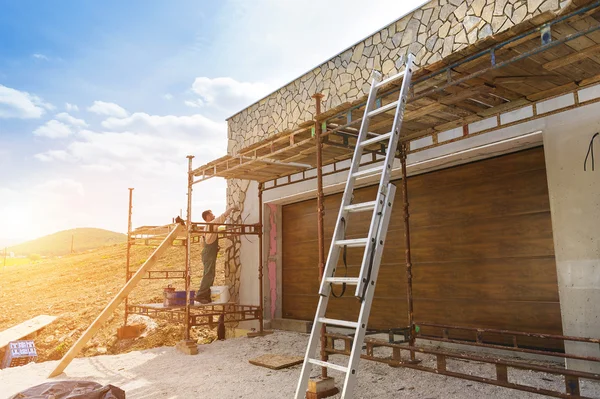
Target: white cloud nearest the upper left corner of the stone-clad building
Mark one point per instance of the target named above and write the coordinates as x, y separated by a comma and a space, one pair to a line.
226, 93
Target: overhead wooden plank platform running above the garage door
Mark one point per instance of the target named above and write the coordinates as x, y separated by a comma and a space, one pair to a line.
501, 73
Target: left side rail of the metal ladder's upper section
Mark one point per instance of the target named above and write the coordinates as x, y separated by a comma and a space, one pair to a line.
334, 251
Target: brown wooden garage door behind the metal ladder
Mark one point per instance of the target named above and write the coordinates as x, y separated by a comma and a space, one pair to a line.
482, 248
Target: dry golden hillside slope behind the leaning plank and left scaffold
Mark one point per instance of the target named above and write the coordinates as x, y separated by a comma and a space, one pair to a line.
77, 287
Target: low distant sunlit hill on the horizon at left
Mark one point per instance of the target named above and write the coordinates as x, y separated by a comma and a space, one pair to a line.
60, 243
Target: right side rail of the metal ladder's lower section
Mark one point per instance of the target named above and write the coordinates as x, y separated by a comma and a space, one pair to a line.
365, 309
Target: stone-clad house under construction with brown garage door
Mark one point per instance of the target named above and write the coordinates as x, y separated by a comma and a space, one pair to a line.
501, 246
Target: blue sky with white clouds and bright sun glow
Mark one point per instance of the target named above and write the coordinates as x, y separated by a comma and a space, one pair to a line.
97, 97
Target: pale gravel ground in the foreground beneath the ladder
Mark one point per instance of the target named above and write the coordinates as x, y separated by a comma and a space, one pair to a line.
221, 370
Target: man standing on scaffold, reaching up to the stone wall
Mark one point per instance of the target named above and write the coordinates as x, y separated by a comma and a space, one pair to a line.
209, 253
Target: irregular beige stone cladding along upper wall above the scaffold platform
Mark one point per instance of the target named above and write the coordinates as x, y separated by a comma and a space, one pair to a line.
431, 33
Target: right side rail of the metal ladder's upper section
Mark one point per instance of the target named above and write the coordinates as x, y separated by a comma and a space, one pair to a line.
387, 170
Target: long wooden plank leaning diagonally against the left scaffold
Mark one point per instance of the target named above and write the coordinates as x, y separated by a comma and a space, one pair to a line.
115, 302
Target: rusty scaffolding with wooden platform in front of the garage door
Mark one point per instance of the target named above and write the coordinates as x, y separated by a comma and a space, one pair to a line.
547, 57
